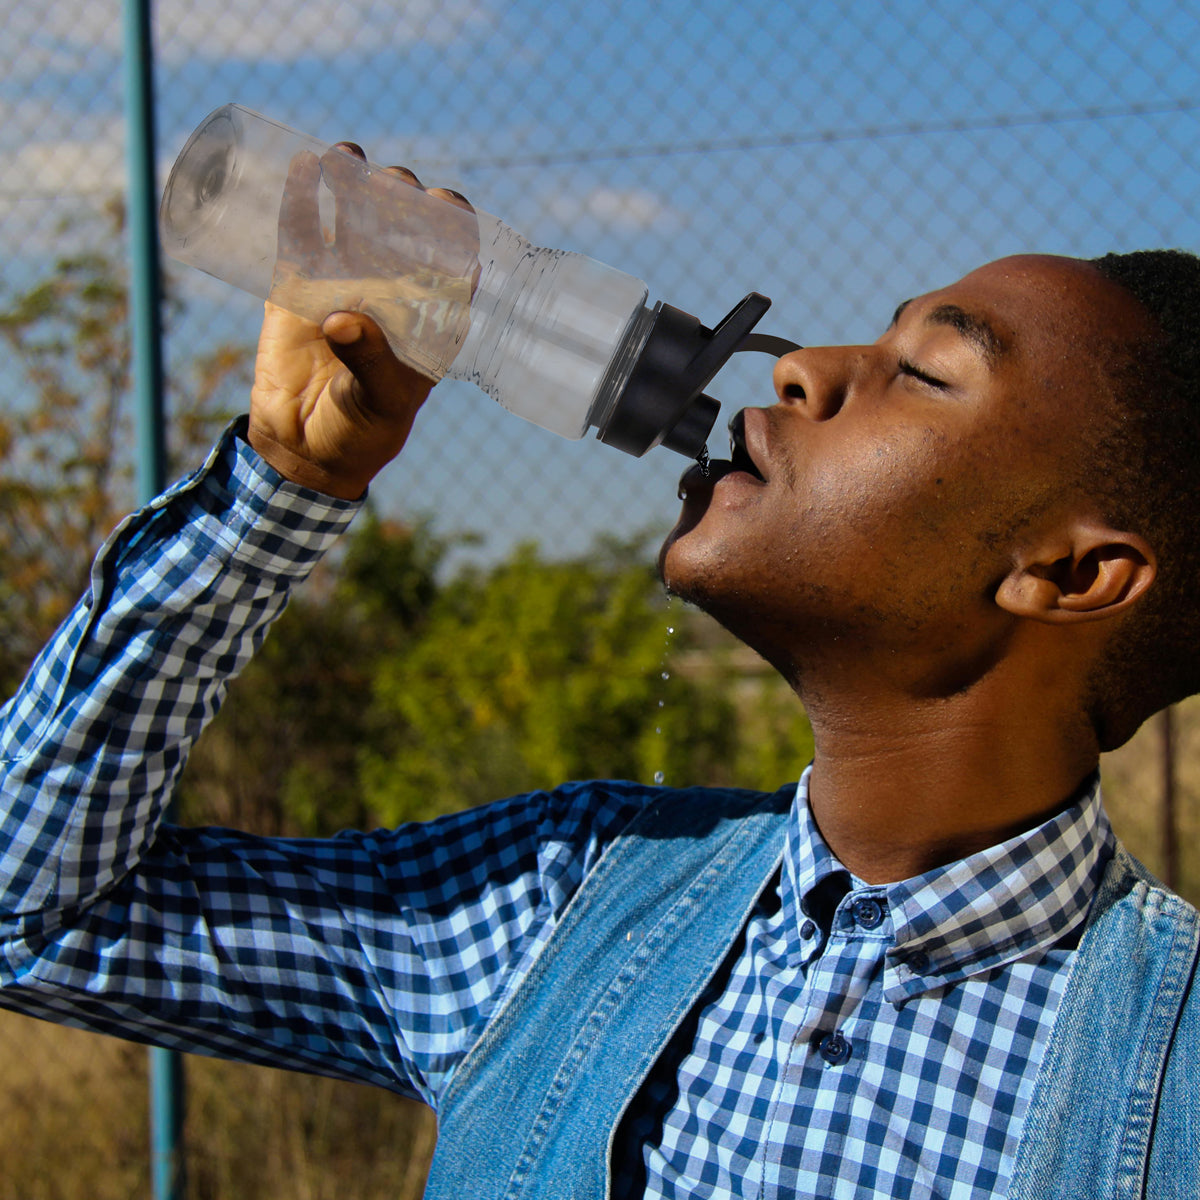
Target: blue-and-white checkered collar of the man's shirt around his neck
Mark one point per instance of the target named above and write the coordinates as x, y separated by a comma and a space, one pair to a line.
1023, 896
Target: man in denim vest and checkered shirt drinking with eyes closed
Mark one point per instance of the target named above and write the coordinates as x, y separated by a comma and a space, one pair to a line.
926, 971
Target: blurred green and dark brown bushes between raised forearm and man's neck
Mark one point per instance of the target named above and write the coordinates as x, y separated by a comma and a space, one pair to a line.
383, 695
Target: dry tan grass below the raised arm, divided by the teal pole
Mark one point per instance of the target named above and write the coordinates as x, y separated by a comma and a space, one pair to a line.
74, 1126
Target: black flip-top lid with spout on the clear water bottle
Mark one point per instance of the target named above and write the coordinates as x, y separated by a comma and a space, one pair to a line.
664, 401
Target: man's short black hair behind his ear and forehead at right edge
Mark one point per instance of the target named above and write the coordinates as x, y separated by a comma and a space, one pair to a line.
1147, 470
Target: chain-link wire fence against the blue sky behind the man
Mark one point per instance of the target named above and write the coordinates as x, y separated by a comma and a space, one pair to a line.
835, 157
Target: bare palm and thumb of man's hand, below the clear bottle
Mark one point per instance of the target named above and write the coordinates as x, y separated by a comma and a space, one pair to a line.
332, 405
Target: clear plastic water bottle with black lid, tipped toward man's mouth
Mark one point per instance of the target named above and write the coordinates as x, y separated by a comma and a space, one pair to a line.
554, 337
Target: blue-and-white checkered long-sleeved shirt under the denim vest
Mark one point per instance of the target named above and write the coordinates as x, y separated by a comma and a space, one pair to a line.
860, 1042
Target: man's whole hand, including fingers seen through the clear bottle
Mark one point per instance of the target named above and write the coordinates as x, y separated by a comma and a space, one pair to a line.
332, 405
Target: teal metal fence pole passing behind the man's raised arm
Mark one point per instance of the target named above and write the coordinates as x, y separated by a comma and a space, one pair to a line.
146, 331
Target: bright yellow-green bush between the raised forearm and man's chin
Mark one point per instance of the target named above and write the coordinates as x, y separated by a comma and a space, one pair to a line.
536, 673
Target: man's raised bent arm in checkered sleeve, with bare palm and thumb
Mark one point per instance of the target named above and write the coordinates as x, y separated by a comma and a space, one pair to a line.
374, 957
